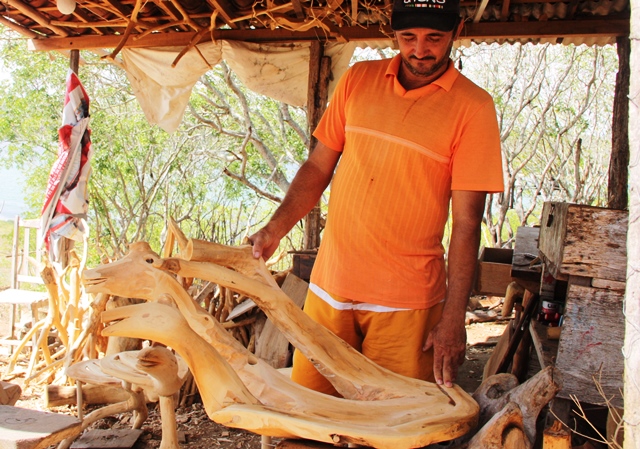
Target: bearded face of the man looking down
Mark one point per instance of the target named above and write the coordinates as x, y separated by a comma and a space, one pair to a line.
424, 51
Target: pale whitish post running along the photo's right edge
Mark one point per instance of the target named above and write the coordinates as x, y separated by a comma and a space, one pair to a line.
632, 298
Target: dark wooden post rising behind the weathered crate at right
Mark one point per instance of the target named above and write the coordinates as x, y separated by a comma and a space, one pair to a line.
619, 164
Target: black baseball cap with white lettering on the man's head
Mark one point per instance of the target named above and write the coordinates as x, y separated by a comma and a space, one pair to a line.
441, 15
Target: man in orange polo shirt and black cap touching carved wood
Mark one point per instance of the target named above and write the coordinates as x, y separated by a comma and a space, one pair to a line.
411, 135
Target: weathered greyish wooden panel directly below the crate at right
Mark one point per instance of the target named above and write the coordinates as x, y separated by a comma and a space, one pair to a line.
590, 345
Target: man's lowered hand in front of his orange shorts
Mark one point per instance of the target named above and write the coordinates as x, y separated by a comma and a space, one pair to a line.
449, 342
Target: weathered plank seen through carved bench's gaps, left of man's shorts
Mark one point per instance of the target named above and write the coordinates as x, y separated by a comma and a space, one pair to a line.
272, 345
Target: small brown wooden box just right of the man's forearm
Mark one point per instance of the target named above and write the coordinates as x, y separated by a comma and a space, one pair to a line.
494, 271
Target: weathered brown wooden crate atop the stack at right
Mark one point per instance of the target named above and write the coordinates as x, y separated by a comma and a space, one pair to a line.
584, 241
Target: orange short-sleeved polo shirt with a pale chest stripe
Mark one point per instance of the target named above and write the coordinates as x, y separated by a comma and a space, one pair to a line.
402, 154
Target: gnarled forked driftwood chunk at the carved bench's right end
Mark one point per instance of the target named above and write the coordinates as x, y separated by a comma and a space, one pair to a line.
531, 396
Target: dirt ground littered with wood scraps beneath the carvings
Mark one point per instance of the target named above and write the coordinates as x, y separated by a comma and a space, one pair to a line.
197, 431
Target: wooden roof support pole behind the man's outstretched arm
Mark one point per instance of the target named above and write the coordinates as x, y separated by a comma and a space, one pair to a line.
317, 97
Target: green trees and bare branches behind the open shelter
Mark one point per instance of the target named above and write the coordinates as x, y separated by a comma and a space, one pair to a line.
222, 173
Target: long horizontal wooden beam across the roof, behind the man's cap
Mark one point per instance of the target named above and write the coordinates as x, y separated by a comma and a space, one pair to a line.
479, 31
